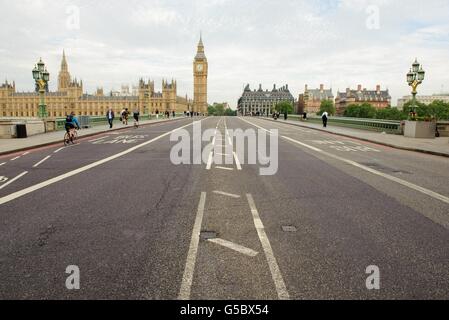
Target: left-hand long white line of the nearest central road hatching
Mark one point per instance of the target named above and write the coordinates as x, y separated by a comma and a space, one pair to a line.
187, 278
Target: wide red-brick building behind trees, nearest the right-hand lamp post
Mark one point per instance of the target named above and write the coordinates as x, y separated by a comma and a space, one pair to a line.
379, 99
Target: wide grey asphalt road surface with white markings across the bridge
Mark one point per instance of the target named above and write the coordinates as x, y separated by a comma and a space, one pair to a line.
140, 227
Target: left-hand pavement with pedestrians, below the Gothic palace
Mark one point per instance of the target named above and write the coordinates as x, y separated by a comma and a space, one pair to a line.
8, 146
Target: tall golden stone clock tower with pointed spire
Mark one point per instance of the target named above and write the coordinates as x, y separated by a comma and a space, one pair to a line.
200, 71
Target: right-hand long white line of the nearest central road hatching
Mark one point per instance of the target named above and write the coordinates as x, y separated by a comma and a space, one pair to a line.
271, 259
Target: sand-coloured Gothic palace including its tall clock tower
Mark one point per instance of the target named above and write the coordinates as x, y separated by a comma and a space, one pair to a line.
70, 96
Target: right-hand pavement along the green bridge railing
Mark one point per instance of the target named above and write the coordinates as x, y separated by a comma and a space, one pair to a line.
438, 146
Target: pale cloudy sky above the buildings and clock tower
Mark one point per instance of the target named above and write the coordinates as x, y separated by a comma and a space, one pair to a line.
339, 43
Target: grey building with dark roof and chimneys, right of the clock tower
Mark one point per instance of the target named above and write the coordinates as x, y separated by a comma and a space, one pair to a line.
263, 102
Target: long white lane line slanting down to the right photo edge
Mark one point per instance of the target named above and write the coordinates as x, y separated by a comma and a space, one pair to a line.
407, 184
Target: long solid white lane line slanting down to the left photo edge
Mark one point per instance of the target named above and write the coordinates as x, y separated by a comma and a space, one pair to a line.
44, 184
